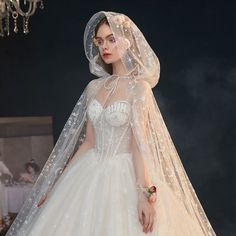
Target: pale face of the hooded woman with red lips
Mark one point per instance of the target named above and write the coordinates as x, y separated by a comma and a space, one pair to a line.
110, 49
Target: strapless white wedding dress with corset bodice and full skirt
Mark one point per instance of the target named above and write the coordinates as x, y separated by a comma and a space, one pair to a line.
97, 195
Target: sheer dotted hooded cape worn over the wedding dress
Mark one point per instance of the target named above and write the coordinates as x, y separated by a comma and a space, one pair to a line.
179, 211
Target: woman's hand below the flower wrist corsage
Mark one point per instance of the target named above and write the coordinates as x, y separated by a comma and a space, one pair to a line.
146, 213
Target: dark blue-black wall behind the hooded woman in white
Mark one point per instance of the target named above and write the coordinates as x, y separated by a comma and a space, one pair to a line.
45, 72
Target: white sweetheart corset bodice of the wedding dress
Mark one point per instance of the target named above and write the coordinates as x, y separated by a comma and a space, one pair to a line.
111, 127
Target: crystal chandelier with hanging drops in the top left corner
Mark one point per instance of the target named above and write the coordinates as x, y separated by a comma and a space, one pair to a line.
14, 9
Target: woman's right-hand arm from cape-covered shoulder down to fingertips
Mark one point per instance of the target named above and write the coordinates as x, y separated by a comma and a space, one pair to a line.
140, 153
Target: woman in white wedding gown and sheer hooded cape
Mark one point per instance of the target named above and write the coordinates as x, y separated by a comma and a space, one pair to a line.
114, 151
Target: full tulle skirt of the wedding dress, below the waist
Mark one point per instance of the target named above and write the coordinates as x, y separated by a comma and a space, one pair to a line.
99, 198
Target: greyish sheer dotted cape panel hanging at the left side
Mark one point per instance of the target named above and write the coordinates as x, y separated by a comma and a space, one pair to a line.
71, 137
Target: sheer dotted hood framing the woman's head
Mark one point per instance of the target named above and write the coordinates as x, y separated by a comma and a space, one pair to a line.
139, 59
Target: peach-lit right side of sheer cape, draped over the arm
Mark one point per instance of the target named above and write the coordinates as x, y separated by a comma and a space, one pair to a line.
156, 162
